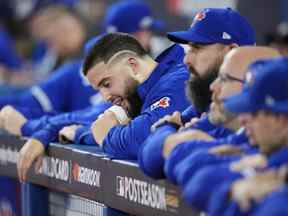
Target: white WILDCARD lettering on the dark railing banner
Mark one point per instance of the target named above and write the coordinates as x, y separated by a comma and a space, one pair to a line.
55, 168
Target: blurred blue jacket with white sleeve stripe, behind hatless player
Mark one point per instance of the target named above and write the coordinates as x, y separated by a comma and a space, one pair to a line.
65, 91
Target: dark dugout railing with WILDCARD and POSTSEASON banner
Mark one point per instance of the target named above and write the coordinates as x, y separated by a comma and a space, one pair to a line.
81, 180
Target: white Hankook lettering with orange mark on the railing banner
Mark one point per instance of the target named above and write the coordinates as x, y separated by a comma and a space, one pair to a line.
86, 175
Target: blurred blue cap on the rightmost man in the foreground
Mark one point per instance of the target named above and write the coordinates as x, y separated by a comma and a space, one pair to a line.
266, 88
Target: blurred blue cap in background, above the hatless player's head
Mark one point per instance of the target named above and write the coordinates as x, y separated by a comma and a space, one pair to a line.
130, 16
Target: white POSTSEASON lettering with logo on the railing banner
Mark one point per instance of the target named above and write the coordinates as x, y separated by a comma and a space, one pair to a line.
141, 192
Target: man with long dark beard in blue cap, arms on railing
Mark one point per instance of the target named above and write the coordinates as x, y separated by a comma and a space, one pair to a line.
211, 36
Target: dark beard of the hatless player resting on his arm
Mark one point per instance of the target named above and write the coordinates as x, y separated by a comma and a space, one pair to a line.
134, 100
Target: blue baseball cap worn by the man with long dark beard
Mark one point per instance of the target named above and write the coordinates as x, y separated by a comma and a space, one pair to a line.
216, 25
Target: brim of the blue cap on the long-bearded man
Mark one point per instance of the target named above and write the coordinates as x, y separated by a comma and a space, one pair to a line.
184, 37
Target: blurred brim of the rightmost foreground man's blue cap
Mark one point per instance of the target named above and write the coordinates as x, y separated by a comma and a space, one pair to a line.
240, 103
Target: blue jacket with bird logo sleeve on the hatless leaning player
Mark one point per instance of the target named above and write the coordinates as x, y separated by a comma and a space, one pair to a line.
162, 93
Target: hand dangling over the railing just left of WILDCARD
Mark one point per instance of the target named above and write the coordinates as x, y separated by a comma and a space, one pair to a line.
33, 150
